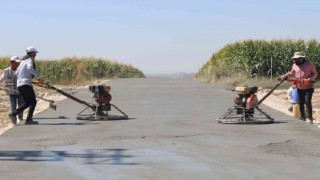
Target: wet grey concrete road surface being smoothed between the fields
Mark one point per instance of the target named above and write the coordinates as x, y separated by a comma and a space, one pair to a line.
172, 133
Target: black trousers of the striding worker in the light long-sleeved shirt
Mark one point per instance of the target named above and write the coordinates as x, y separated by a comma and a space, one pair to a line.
30, 100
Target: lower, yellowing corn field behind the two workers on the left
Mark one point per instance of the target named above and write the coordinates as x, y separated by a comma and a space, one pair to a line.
73, 70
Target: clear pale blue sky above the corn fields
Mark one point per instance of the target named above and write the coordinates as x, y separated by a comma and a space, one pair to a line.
157, 36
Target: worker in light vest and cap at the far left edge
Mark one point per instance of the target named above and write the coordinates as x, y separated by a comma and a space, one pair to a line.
9, 78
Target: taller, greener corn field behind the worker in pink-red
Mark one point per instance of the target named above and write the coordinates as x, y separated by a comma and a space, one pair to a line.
258, 58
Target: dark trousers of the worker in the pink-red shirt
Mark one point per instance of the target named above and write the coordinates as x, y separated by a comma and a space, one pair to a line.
305, 98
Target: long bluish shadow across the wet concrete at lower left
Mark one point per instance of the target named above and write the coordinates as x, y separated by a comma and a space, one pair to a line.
90, 156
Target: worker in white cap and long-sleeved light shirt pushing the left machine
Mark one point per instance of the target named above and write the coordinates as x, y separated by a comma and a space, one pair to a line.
25, 72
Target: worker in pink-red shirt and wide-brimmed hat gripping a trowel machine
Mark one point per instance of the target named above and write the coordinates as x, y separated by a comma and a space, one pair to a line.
303, 69
